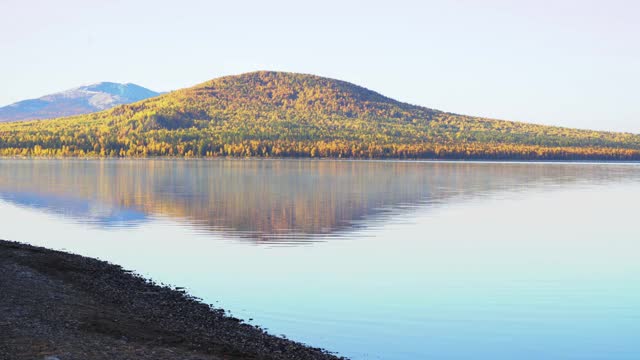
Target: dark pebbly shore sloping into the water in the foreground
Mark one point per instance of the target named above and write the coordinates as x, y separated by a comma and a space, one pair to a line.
55, 305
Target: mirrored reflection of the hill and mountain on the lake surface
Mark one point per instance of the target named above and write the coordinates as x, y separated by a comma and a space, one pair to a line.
278, 200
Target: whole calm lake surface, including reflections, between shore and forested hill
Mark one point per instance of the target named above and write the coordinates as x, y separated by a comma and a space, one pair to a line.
370, 259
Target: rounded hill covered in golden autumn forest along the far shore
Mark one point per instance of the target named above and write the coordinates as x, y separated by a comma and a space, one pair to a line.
284, 114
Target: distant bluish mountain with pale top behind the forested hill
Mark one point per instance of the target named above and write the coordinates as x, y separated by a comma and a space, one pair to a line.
77, 101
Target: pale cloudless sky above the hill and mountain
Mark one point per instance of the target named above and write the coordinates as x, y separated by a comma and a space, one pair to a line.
563, 62
